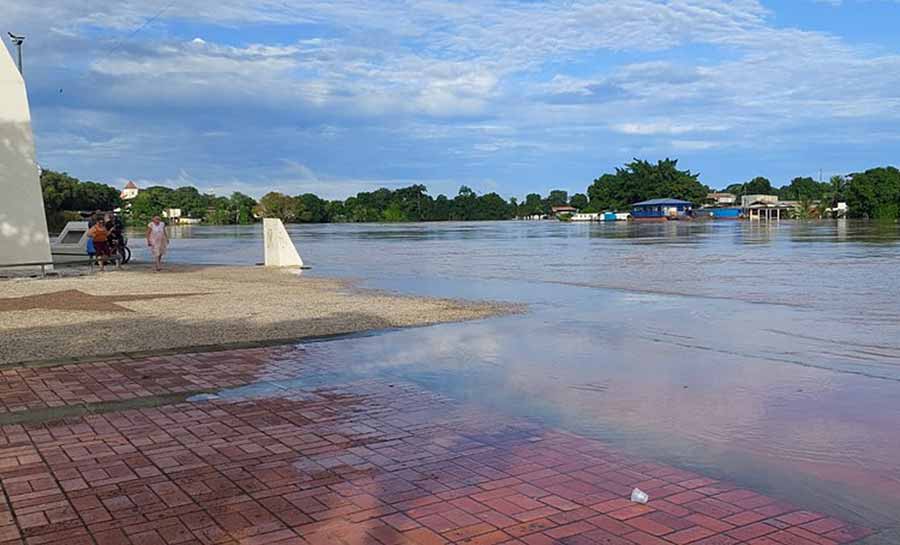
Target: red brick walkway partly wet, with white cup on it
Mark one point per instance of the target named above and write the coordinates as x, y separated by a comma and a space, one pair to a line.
369, 462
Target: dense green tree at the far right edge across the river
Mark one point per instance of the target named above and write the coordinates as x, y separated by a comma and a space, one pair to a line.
875, 194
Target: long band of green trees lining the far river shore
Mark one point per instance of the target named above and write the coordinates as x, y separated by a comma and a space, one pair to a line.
873, 194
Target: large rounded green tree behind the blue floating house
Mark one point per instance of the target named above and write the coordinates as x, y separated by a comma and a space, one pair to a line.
640, 181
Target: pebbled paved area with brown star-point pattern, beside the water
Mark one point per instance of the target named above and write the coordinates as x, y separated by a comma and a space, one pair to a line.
189, 307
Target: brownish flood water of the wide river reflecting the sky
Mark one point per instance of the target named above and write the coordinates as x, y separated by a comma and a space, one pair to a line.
764, 354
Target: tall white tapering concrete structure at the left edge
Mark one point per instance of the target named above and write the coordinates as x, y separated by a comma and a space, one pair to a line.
23, 225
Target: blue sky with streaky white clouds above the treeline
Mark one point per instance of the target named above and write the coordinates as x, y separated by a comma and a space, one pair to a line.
335, 97
